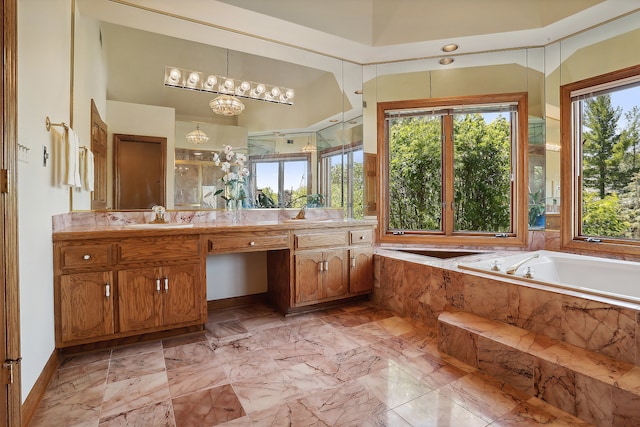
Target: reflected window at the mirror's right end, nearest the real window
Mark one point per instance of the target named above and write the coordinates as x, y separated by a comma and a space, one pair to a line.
343, 179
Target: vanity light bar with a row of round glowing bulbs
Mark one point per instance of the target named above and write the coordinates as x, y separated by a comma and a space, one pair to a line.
212, 83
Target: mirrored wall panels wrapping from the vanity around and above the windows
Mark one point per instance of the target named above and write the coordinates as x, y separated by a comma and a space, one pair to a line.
312, 151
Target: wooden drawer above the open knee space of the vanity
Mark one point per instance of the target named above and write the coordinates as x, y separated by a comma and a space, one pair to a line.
247, 242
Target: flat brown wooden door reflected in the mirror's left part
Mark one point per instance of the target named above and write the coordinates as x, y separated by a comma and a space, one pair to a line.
139, 171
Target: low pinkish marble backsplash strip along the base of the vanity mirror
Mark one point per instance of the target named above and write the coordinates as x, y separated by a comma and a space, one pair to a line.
89, 219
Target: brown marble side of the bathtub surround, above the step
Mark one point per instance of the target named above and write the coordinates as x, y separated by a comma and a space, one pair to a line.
422, 288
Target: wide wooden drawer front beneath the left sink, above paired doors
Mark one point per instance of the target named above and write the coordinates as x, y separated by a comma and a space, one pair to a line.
159, 249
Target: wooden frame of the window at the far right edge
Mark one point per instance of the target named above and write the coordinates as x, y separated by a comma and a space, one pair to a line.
571, 181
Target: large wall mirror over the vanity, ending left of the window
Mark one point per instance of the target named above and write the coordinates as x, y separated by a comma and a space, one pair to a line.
300, 154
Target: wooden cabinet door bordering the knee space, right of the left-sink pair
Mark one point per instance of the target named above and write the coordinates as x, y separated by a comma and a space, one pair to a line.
181, 294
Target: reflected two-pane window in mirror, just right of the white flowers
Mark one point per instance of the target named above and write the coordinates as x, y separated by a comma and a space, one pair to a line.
281, 180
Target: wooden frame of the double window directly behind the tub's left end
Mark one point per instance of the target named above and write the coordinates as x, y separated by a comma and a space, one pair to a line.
519, 235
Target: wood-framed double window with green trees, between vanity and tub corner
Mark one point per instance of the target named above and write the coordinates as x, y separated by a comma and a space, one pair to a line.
452, 170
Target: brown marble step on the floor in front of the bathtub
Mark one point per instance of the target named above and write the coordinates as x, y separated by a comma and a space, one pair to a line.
596, 388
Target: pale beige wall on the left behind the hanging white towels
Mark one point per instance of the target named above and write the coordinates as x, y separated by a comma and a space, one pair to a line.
43, 90
